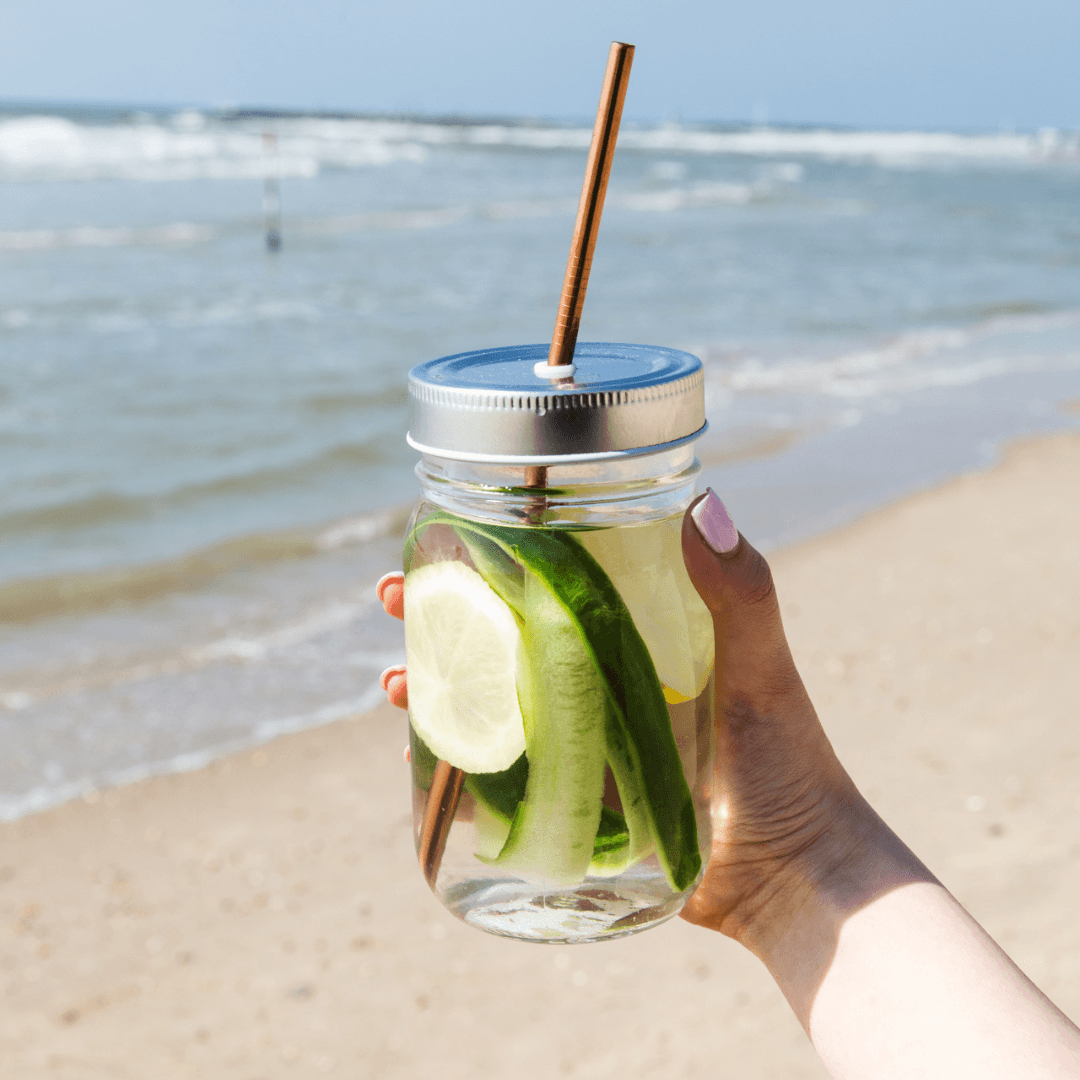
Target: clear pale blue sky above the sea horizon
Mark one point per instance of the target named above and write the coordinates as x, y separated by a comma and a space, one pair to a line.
907, 64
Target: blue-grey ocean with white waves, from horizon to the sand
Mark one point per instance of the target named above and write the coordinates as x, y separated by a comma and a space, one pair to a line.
204, 468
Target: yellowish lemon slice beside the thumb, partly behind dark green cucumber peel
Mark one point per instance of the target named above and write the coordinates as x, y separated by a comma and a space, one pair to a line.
645, 564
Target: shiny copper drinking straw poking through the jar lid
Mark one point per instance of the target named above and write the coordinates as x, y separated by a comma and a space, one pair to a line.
448, 781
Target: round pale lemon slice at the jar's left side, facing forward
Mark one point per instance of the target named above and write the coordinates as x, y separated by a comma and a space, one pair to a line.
464, 649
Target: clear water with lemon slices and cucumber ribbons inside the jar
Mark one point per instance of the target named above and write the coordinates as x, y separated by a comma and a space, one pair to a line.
562, 678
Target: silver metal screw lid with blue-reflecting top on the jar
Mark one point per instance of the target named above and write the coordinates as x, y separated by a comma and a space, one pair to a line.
491, 406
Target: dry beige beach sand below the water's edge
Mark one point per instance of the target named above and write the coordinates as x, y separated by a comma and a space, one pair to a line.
264, 919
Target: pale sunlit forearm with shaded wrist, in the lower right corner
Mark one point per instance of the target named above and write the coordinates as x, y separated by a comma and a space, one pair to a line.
894, 979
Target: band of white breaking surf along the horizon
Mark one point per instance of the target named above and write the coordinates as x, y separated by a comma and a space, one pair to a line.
195, 146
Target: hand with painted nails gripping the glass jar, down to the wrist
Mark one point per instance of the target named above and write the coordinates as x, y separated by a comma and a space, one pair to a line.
781, 794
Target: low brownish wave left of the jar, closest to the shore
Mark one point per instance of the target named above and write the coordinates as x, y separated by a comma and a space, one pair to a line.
86, 591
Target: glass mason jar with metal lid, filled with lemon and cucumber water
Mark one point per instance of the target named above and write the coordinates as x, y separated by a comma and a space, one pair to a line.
560, 660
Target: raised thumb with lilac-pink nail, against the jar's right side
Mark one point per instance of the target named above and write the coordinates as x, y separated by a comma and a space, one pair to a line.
754, 665
